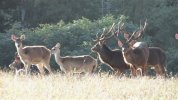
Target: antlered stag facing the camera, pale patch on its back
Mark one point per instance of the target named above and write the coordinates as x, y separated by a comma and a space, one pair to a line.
135, 53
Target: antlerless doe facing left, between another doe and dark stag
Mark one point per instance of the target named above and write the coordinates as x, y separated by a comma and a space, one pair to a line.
74, 64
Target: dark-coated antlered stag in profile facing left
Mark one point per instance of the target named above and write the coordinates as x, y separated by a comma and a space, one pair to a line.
113, 58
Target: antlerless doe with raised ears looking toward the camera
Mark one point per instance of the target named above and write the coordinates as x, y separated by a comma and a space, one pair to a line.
32, 55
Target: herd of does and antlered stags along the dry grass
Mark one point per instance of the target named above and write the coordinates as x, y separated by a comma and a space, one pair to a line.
133, 55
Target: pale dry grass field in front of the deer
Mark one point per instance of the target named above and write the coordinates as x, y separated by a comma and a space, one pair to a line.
86, 87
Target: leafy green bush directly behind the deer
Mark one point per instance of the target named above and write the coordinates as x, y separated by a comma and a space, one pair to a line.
76, 38
